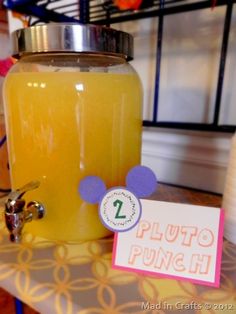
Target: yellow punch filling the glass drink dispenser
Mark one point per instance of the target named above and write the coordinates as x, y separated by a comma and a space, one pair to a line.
62, 127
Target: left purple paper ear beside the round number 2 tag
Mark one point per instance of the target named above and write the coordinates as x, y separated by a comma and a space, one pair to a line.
91, 189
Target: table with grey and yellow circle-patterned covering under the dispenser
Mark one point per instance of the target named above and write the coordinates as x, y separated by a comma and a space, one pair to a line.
76, 278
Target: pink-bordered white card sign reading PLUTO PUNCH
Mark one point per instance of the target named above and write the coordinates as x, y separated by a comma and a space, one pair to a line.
178, 241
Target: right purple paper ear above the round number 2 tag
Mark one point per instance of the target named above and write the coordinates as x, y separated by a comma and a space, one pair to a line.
141, 180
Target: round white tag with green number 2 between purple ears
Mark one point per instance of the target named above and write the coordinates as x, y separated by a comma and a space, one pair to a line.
120, 210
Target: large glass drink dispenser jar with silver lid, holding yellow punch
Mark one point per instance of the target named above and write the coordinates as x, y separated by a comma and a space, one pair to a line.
72, 109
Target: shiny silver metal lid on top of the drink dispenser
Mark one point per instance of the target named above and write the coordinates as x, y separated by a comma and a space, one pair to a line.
67, 37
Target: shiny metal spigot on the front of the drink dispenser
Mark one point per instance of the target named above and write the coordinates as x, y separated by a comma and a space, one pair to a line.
16, 215
